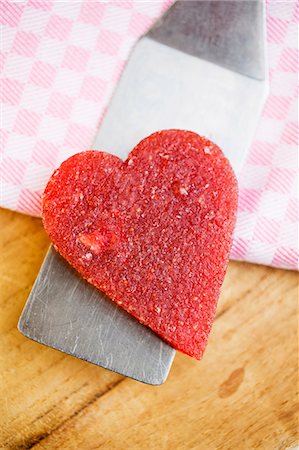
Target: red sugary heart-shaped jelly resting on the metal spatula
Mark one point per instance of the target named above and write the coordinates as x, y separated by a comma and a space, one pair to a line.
154, 232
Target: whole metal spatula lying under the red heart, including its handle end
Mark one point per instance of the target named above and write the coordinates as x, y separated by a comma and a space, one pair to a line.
201, 68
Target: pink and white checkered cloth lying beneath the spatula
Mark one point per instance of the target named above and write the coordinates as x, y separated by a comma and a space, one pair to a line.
60, 62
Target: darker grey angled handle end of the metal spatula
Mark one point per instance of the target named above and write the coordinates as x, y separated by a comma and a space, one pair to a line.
228, 33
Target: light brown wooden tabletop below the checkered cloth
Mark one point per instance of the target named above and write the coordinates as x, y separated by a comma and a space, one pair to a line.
242, 395
